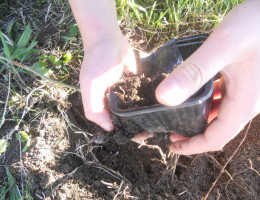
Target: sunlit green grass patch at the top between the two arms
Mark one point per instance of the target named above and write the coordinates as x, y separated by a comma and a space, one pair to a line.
167, 18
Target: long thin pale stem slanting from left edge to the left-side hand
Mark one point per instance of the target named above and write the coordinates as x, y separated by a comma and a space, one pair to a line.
40, 75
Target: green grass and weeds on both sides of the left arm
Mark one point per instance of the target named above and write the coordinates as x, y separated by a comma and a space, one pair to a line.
155, 22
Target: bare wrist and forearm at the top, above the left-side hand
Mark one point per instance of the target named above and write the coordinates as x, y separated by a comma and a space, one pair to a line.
95, 19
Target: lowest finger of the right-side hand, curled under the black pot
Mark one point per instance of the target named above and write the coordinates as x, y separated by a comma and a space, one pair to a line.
225, 127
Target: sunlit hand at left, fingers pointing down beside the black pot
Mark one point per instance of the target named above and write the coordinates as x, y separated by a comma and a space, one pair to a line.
102, 66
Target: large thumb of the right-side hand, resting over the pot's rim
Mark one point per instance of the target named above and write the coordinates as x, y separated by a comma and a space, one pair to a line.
190, 76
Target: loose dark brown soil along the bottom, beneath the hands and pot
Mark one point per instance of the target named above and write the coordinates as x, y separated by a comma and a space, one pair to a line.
142, 172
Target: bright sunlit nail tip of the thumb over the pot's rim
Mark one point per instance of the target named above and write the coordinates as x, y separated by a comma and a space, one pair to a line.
170, 93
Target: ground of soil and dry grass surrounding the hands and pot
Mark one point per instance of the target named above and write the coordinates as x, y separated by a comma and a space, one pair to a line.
66, 160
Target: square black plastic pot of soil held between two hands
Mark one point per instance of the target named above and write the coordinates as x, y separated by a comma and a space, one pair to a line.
188, 118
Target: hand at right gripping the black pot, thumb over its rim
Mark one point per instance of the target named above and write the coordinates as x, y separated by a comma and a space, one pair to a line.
233, 50
